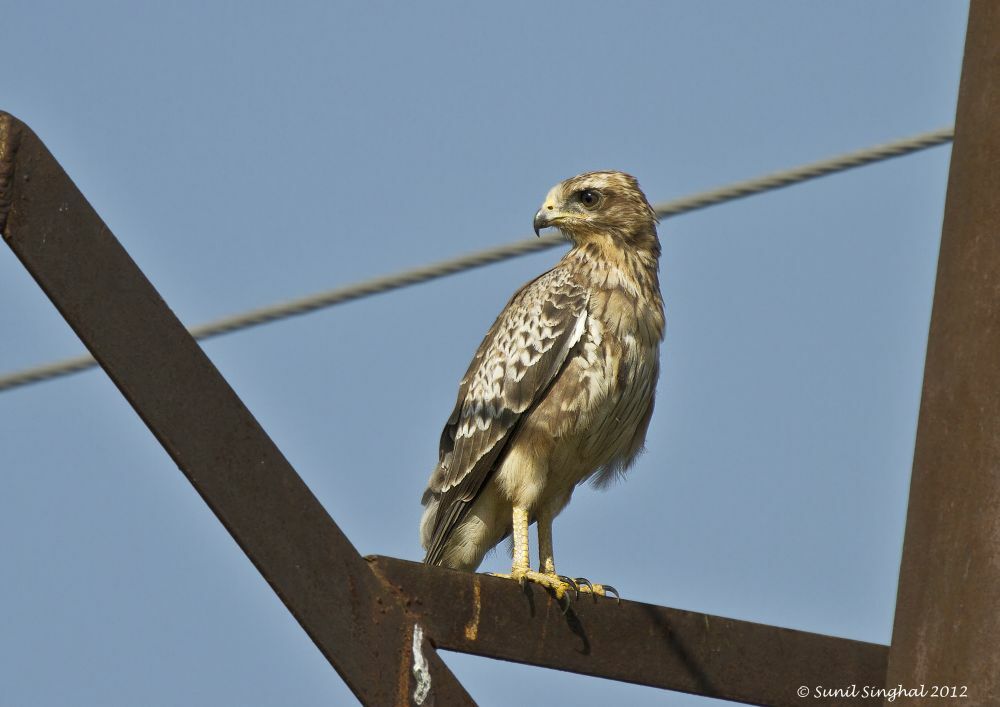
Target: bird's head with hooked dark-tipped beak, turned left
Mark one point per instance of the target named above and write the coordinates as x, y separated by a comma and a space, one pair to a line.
606, 207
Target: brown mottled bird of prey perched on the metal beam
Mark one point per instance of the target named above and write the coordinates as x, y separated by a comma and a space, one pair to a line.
561, 388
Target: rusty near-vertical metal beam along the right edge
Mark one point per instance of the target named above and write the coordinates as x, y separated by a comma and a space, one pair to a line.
948, 604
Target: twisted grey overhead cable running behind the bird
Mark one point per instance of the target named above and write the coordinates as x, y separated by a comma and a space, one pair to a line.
328, 298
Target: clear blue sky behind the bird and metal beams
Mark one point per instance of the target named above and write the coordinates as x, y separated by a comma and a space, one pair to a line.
246, 153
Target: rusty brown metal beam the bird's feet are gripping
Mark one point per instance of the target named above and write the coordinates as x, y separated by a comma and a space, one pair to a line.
634, 642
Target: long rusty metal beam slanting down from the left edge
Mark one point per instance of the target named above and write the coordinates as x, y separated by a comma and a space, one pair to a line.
239, 472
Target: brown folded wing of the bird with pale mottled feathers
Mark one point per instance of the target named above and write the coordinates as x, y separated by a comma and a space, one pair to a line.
514, 366
